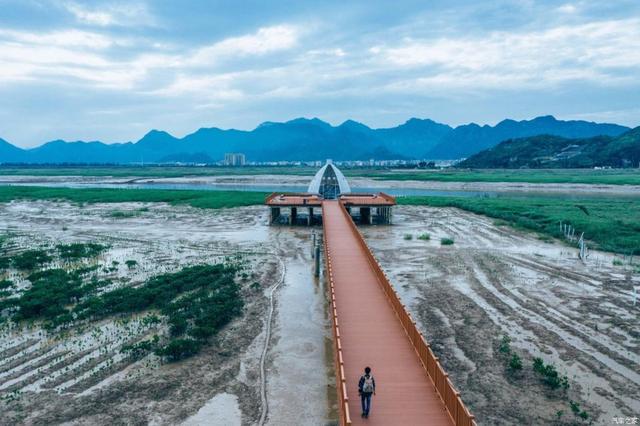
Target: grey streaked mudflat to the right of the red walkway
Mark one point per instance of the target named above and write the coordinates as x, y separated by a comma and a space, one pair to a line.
496, 281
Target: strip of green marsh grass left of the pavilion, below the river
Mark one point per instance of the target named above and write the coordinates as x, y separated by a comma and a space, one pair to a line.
200, 199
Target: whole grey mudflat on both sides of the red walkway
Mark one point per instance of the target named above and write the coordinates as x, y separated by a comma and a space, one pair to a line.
493, 281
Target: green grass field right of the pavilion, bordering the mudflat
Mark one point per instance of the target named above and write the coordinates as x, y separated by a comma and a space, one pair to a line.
611, 224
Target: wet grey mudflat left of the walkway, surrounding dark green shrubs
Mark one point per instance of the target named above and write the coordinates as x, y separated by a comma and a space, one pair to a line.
81, 377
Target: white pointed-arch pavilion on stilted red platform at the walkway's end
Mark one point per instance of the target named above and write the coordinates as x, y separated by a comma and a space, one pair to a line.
329, 184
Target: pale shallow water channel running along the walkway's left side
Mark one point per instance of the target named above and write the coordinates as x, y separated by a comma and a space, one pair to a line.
297, 379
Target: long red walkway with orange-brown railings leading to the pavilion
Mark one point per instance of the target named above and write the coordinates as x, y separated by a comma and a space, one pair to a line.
372, 328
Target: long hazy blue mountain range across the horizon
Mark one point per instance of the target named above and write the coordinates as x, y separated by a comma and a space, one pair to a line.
308, 139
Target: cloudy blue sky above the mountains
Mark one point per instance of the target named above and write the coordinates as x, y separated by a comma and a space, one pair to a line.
110, 70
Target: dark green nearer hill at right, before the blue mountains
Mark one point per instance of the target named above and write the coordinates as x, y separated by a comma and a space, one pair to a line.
547, 151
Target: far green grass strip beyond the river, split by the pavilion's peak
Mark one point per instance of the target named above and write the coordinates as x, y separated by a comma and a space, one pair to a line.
585, 176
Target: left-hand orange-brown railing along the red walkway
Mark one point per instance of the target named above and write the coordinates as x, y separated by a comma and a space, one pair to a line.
341, 381
